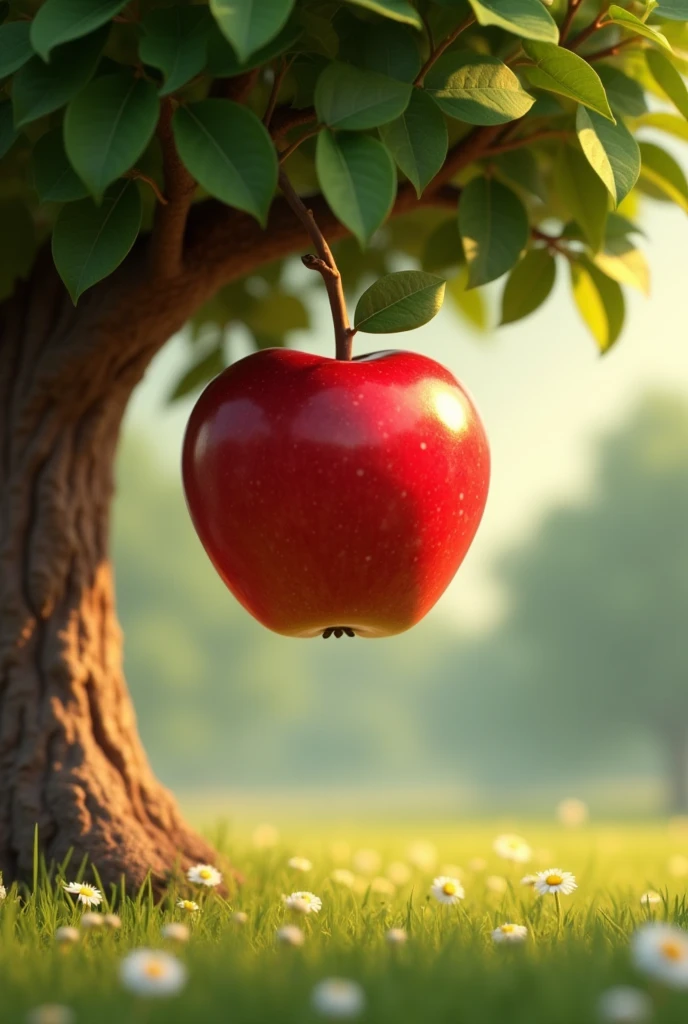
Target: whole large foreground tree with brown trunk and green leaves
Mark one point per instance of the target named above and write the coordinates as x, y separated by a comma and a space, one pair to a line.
153, 157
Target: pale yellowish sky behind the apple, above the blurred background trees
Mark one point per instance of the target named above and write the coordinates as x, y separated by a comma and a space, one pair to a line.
543, 391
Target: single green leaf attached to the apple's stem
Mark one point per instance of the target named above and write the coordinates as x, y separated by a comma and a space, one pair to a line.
400, 303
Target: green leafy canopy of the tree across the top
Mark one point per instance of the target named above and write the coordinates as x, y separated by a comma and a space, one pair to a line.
535, 121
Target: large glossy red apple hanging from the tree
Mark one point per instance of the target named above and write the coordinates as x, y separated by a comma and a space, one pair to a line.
334, 494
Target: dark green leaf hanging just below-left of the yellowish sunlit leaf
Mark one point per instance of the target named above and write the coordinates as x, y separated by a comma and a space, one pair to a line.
418, 141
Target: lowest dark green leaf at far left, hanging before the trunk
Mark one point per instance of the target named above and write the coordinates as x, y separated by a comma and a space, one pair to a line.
90, 241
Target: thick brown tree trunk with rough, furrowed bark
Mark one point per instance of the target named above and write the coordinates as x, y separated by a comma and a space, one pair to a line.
71, 761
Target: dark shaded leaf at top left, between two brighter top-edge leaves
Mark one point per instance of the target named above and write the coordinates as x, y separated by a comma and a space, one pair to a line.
176, 41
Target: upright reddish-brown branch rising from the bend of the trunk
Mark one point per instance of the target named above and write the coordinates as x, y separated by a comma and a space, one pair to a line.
170, 220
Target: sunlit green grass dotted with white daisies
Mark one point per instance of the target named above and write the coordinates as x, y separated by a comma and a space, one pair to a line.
450, 970
